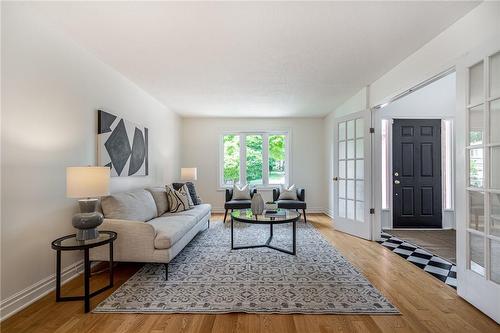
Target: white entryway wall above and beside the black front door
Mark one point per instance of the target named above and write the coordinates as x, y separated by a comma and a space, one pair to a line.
437, 100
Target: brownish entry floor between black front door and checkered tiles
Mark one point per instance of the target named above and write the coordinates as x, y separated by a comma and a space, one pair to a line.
439, 242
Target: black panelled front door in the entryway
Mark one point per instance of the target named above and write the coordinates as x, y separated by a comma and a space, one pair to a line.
416, 161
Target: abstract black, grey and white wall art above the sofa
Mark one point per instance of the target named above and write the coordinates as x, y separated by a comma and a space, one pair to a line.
121, 145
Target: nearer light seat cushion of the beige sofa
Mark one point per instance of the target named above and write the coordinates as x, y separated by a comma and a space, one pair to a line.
170, 229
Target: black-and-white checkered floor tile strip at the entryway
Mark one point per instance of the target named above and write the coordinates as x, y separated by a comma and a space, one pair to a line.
440, 268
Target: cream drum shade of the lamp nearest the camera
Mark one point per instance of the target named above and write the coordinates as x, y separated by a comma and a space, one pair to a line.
87, 182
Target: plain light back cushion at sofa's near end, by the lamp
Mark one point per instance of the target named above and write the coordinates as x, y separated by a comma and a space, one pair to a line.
137, 205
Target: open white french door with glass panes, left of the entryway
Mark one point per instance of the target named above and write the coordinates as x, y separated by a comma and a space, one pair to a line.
352, 174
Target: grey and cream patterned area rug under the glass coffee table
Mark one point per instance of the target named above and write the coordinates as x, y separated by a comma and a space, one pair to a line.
207, 277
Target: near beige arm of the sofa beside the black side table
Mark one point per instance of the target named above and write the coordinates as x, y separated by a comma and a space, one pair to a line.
135, 241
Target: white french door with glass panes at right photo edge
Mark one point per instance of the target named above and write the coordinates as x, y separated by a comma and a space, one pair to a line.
478, 209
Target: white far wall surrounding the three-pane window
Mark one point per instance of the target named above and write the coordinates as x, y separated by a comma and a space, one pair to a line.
200, 148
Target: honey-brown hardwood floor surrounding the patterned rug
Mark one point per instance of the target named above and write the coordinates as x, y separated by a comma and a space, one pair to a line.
426, 304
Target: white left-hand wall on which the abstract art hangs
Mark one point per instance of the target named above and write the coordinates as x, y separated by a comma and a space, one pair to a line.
51, 89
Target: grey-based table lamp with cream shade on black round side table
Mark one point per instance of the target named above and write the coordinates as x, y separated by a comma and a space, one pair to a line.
87, 183
